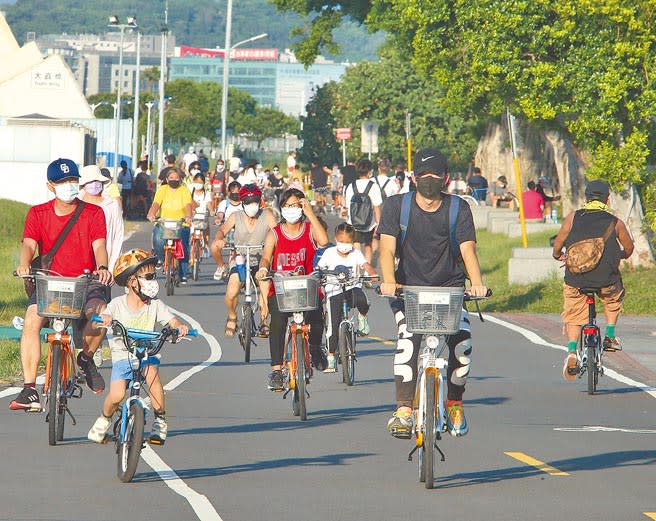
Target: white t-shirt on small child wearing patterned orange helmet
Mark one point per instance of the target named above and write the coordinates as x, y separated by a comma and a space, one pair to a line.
145, 318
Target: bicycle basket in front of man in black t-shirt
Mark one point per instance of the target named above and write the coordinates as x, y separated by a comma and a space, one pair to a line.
433, 310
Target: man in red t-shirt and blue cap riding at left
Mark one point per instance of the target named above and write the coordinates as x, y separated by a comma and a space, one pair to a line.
84, 248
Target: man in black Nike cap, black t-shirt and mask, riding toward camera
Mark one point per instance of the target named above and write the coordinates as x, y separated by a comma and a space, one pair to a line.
426, 259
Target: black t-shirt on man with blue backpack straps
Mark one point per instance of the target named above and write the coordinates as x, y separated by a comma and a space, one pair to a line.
425, 257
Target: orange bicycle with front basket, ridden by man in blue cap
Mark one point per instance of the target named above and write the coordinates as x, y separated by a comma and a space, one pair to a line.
61, 299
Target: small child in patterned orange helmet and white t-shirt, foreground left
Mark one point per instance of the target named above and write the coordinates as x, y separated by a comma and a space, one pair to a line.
138, 309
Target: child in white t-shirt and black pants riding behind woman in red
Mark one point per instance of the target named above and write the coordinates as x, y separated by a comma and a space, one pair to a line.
344, 256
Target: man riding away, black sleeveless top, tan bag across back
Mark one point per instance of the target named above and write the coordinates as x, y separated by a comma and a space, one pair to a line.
588, 222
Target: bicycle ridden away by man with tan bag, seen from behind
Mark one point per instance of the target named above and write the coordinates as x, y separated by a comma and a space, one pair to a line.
589, 351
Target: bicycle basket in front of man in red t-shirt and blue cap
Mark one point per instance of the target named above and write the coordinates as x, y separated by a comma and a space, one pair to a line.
60, 297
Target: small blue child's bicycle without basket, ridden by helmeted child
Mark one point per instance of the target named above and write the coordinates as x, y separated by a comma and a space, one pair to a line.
128, 432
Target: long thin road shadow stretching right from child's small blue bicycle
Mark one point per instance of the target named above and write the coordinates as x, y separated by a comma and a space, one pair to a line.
204, 472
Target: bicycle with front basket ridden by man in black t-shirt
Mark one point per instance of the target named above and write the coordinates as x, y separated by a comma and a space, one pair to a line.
433, 312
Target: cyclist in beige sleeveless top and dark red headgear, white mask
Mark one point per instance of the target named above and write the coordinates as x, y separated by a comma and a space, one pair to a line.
250, 226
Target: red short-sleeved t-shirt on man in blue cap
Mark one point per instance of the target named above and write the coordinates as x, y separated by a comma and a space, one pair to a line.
76, 253
